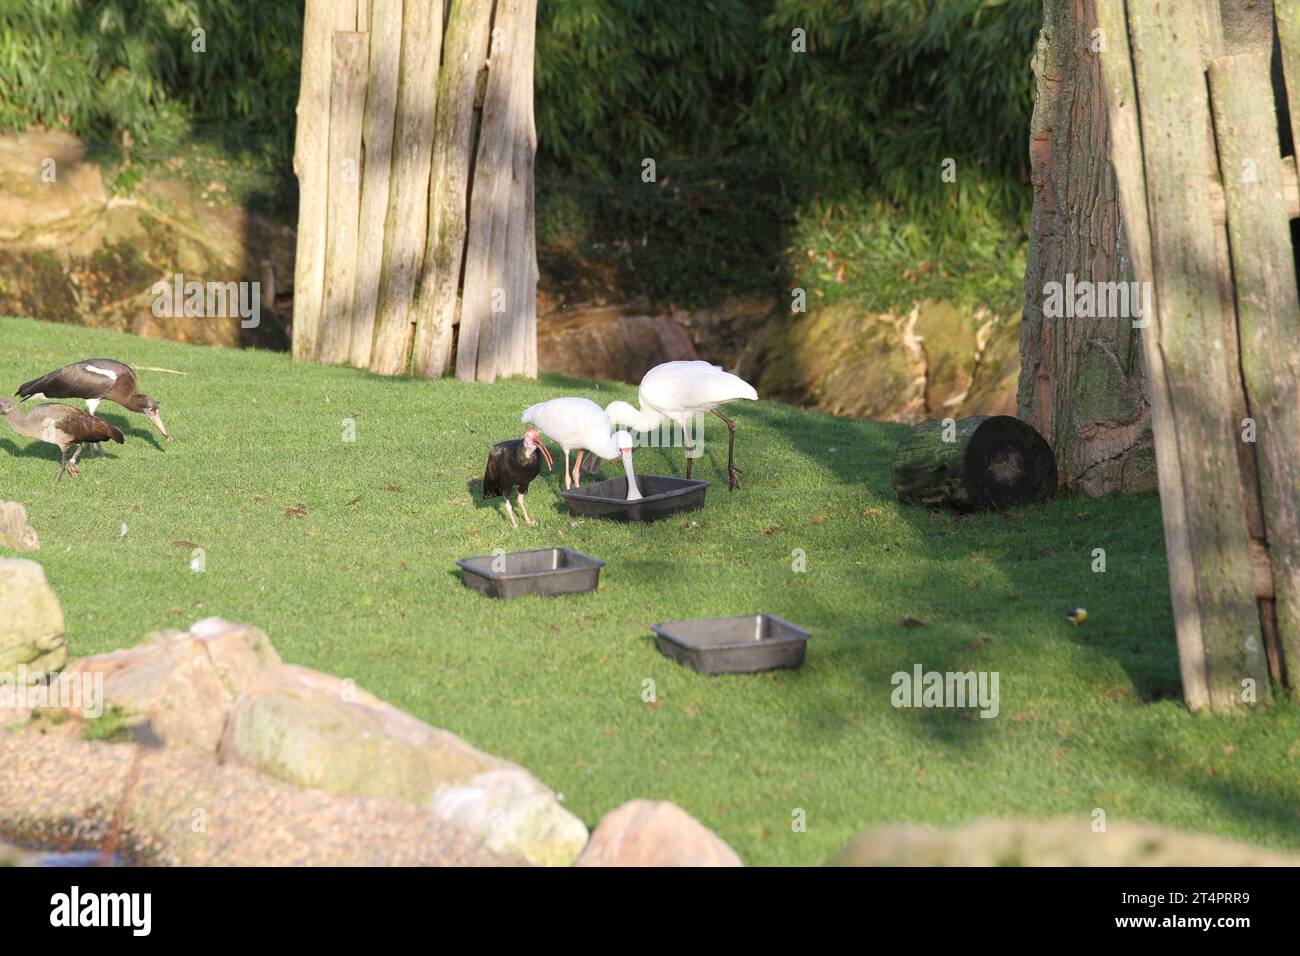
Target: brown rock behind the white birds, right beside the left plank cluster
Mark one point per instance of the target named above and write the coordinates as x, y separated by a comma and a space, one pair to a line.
609, 343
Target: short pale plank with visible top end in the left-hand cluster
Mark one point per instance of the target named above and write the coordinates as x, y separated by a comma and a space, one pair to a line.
348, 100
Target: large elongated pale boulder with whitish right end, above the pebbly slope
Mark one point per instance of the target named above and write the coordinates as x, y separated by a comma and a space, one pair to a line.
317, 730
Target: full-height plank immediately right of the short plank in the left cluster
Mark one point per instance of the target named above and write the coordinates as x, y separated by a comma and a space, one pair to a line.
382, 96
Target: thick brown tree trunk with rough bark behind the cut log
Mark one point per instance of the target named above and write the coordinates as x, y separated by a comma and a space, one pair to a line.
1082, 379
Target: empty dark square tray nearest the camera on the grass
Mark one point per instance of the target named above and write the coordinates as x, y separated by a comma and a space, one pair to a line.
734, 646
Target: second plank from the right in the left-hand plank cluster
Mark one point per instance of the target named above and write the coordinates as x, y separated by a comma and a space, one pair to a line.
466, 49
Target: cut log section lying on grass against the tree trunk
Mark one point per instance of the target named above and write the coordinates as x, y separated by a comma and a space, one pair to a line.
968, 465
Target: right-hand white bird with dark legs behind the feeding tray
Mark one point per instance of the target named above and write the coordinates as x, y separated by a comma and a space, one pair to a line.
678, 392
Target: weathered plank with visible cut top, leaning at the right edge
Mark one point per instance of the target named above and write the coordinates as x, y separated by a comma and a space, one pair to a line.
1268, 305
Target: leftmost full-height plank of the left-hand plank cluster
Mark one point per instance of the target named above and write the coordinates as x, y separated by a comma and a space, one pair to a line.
311, 167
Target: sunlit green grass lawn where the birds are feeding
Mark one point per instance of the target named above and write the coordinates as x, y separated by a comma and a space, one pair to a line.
365, 586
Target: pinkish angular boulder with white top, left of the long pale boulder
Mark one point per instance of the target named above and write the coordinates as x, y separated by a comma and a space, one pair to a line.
183, 685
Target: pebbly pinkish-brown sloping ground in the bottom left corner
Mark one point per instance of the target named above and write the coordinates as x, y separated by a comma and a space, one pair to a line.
180, 808
